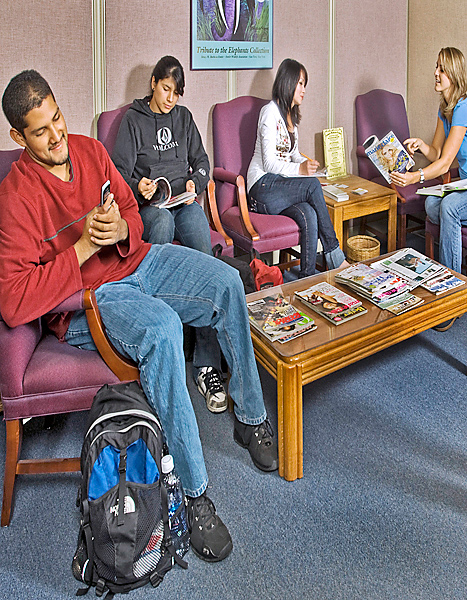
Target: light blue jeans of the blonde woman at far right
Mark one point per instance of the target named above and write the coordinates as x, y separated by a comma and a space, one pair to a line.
450, 213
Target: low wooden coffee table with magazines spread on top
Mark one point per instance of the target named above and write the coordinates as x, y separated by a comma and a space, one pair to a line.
332, 347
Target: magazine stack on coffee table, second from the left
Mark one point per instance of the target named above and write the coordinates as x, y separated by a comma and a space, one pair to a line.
331, 303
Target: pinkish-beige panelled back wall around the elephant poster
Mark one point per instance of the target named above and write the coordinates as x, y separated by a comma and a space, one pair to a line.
56, 39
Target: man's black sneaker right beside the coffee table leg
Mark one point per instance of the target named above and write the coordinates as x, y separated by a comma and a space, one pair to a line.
260, 443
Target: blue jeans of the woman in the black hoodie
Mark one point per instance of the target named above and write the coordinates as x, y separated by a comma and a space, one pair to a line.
187, 224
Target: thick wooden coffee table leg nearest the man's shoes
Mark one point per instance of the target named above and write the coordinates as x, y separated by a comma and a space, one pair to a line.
290, 421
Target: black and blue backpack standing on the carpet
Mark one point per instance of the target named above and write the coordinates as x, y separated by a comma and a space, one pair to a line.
120, 550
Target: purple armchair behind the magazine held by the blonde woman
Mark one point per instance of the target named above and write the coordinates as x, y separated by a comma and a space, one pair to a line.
378, 112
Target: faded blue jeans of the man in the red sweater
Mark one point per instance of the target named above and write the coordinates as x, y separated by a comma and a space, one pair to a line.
143, 315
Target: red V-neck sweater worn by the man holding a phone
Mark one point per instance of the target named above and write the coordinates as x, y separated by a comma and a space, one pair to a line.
41, 217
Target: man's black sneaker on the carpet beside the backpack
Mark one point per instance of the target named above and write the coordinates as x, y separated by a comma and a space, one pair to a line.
210, 538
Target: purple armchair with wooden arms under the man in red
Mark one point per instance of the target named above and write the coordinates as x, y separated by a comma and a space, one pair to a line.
39, 376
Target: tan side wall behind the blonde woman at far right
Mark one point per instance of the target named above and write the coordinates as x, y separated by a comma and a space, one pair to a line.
432, 26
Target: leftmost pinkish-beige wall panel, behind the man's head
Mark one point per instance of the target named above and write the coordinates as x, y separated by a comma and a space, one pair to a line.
55, 38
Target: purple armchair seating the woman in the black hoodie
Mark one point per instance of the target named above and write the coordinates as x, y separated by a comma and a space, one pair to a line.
108, 124
